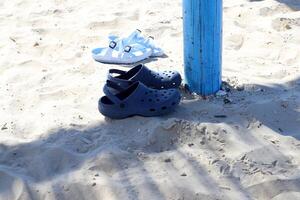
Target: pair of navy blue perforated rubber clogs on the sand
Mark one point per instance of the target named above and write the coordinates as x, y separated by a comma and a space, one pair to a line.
139, 91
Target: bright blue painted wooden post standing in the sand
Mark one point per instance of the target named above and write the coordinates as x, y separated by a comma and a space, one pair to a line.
202, 27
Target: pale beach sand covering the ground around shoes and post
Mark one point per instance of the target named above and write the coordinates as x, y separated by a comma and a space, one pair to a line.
54, 144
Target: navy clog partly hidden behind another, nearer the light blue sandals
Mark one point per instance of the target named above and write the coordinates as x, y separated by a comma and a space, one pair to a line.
156, 80
